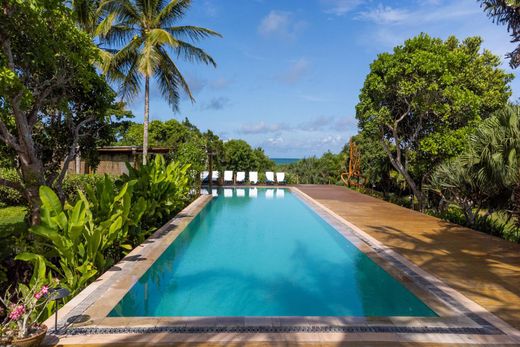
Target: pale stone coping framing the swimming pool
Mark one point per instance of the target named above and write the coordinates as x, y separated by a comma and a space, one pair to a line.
84, 319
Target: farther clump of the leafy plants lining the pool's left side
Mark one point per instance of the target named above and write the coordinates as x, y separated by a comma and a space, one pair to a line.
163, 189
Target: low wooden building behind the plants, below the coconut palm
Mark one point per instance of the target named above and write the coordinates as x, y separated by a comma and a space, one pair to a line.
112, 159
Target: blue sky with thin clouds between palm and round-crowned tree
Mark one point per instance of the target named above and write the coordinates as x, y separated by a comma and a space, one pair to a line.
289, 71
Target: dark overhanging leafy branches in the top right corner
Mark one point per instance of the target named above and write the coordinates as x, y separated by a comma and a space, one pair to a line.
506, 12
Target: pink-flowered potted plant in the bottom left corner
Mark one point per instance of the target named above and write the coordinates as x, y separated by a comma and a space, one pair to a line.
21, 310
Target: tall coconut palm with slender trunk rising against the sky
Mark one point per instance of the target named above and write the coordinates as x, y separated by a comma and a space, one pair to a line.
144, 35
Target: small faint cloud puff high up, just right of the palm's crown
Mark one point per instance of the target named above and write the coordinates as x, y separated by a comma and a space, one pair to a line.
281, 24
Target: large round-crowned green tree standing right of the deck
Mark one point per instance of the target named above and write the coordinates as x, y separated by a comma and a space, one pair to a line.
425, 98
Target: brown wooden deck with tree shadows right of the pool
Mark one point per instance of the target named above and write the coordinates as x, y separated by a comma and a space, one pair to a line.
484, 268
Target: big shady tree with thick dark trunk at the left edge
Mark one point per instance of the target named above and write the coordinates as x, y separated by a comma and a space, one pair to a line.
52, 102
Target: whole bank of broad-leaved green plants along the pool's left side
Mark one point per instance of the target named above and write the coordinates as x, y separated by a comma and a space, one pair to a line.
83, 239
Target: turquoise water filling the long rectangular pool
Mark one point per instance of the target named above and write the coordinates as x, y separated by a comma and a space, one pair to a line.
263, 252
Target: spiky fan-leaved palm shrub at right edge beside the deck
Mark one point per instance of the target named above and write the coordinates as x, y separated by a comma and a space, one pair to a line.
486, 174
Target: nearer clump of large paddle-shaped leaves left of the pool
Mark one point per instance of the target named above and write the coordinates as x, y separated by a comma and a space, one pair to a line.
79, 236
